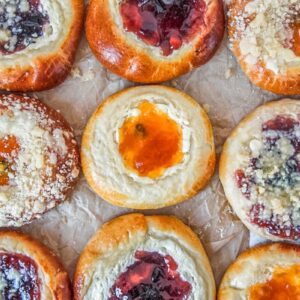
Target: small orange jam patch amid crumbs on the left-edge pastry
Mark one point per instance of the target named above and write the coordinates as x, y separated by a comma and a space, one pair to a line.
8, 151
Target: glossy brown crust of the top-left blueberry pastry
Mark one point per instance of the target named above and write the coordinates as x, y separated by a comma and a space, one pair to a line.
48, 70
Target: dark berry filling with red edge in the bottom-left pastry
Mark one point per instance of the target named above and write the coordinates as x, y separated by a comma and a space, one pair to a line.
18, 278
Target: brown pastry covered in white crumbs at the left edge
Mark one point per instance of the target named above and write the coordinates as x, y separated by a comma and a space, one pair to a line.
39, 159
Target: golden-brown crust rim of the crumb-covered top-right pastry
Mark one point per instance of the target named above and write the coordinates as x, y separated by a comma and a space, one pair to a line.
276, 83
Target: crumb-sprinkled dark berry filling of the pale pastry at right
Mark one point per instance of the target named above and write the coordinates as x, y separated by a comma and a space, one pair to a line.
271, 181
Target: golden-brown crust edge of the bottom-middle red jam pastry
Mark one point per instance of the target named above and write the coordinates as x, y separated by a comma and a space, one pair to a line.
121, 230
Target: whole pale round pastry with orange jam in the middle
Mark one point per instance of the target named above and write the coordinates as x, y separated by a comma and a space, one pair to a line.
148, 147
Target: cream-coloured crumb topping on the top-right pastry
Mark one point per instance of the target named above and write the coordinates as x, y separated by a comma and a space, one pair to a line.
265, 30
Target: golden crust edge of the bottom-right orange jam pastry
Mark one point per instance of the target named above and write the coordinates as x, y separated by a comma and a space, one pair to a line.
257, 254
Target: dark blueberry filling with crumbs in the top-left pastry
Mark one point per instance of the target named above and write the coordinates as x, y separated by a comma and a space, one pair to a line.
22, 22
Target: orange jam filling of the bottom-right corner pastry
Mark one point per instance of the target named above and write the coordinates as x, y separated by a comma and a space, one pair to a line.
284, 285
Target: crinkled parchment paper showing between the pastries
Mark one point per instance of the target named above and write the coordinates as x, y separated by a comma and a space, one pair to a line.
227, 96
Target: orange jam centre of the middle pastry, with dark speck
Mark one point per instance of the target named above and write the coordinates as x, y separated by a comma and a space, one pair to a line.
150, 142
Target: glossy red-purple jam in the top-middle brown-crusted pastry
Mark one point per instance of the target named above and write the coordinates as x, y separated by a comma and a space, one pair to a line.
167, 24
